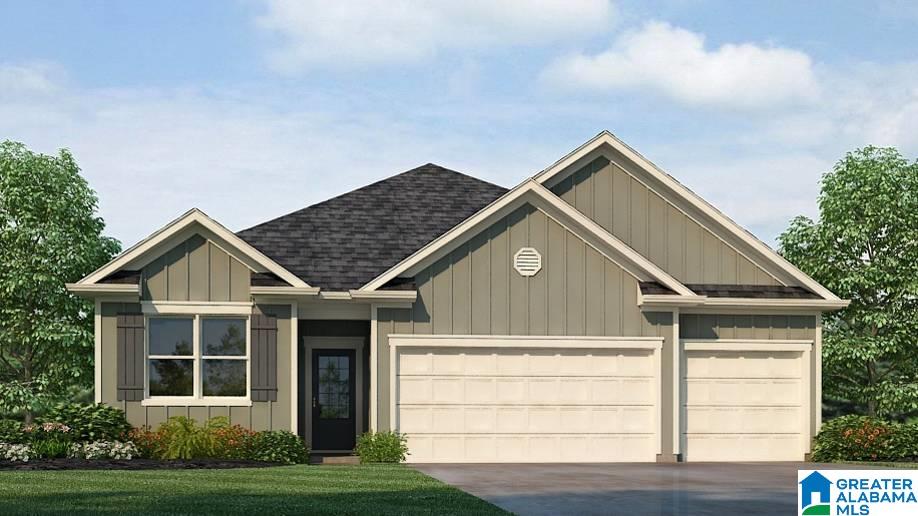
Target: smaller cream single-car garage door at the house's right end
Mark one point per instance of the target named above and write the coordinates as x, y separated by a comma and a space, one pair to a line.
745, 405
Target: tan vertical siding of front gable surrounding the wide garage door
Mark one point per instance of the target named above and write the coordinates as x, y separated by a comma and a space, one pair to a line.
475, 291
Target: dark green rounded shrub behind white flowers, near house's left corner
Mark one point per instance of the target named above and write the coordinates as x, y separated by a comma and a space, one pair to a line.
90, 422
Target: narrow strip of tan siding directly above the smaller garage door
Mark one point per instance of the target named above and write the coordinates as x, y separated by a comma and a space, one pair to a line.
729, 326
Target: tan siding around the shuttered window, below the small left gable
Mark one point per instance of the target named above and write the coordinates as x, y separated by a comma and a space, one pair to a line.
267, 415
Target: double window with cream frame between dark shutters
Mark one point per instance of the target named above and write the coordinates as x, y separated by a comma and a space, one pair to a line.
197, 357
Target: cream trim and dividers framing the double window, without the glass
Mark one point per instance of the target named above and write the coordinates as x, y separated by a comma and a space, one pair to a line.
197, 399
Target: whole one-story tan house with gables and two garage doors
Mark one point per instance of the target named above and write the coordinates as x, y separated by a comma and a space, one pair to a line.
599, 311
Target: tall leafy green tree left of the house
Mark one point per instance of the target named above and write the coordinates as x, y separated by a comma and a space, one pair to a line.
49, 235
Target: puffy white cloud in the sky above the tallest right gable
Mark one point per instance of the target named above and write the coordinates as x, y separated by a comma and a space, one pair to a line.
674, 62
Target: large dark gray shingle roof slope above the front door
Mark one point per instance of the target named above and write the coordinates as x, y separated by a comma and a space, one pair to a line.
346, 241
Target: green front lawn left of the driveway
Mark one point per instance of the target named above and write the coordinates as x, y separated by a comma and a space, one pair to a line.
376, 489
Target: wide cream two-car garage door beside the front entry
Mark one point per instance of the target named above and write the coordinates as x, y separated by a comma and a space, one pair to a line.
528, 401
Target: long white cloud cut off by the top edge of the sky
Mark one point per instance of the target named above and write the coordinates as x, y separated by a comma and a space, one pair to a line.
372, 32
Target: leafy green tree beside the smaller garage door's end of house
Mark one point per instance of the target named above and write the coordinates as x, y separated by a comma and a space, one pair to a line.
864, 247
